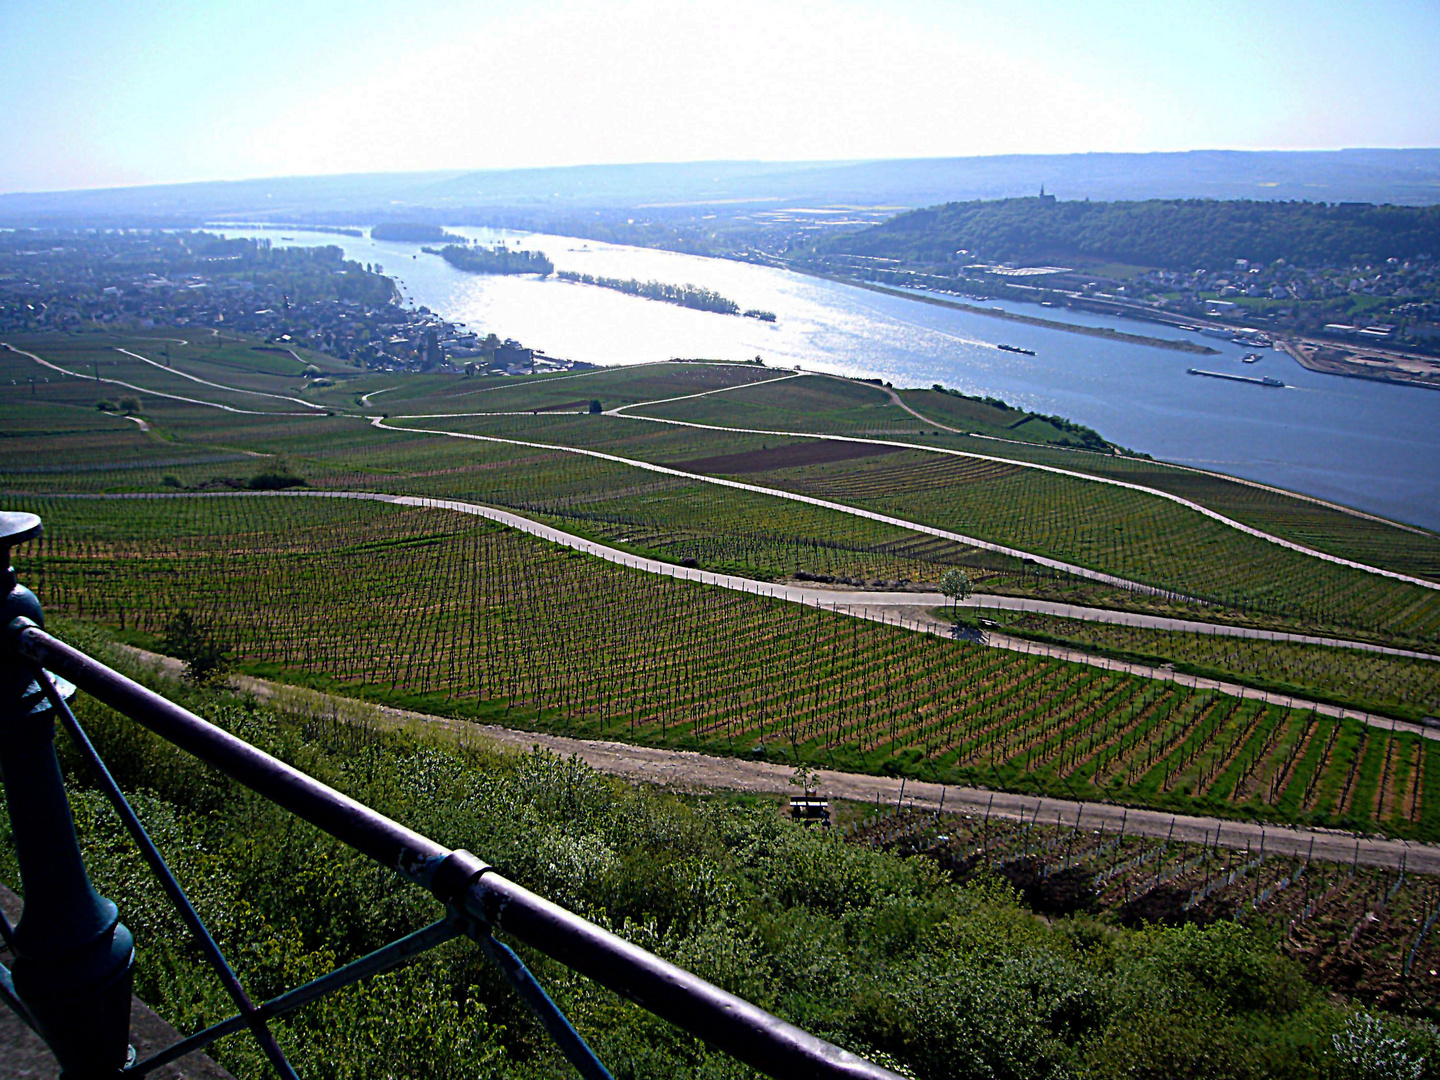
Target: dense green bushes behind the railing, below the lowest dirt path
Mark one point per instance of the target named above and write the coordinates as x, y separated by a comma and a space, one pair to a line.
881, 954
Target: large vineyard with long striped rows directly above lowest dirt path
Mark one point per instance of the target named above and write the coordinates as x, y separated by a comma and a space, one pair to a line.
443, 613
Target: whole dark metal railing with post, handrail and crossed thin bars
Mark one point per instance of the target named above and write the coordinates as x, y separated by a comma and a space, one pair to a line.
74, 958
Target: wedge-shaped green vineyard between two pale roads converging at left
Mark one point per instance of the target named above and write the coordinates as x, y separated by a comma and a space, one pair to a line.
1121, 532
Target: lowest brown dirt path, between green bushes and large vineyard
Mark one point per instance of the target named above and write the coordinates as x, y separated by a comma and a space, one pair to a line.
690, 773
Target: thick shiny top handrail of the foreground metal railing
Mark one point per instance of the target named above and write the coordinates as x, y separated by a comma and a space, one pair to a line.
460, 879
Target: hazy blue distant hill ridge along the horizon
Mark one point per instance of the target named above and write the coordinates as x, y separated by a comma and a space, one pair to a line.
1376, 176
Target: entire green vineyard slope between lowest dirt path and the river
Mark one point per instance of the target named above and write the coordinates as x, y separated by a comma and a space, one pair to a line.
728, 672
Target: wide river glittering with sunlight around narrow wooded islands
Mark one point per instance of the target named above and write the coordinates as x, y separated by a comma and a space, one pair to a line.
1370, 446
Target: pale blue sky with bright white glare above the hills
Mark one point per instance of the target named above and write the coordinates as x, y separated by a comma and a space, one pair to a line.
102, 94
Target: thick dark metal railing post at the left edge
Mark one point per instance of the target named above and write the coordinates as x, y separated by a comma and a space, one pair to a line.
74, 958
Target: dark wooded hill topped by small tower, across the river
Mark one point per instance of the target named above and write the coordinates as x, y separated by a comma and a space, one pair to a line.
1166, 234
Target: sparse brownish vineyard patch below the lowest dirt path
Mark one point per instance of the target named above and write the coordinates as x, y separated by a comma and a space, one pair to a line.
1364, 932
